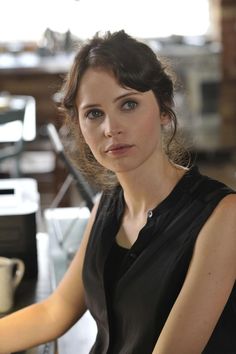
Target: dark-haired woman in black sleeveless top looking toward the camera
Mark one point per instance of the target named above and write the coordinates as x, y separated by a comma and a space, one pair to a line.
157, 264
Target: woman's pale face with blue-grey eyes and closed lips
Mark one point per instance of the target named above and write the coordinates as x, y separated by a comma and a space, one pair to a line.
121, 125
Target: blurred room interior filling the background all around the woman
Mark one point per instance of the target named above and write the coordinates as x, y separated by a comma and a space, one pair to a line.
42, 214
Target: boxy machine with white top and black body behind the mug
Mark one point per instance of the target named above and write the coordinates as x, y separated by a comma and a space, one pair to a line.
19, 203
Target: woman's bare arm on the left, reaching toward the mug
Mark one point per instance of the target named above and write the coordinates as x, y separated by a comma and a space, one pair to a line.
47, 320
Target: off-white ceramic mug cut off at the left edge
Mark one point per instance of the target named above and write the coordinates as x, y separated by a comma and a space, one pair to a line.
11, 274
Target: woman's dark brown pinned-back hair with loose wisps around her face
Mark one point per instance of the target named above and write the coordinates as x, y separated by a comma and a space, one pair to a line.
134, 65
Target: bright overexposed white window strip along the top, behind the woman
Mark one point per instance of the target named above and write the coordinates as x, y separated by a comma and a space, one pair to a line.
28, 19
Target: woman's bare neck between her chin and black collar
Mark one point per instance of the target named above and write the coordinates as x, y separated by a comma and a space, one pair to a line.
143, 192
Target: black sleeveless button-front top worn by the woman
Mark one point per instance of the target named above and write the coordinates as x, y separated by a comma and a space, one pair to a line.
130, 293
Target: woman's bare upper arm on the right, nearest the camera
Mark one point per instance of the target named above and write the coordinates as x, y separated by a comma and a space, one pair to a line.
210, 279
